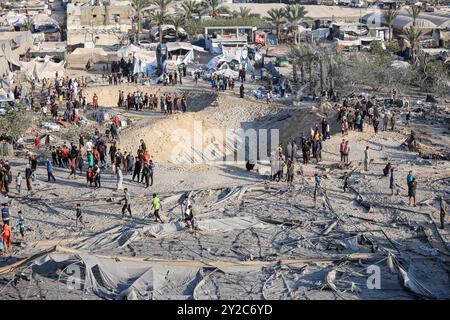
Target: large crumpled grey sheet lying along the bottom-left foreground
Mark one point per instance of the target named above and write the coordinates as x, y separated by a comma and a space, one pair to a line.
115, 279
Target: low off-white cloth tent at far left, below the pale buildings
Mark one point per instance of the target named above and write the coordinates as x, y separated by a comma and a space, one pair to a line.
38, 68
